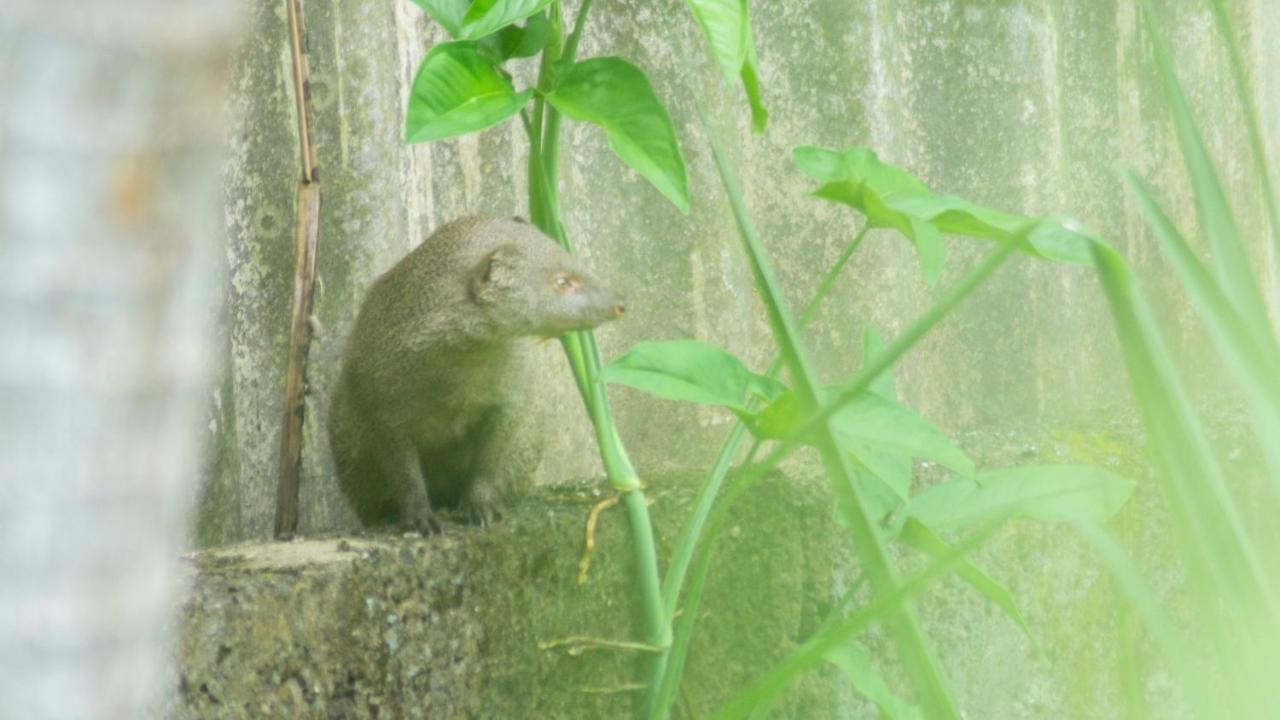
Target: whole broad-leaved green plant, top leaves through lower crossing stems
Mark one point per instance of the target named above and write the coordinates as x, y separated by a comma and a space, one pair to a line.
866, 438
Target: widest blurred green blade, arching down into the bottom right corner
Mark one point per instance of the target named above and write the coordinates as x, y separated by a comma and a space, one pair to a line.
1226, 567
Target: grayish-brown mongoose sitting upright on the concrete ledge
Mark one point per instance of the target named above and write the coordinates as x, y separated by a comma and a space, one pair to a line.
435, 370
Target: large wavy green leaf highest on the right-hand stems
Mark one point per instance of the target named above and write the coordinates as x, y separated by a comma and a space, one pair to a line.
892, 198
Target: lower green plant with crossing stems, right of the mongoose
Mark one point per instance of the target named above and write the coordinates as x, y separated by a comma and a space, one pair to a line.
866, 438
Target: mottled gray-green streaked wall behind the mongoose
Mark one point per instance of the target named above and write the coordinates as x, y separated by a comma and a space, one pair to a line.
1028, 106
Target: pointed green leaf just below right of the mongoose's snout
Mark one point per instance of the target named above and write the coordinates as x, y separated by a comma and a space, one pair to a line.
691, 371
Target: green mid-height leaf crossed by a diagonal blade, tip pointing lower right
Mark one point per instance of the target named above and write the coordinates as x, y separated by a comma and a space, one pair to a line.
867, 427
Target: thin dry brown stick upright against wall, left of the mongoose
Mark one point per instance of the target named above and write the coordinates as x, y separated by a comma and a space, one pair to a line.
305, 240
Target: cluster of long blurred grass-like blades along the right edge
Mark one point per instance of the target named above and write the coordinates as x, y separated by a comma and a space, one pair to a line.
1227, 662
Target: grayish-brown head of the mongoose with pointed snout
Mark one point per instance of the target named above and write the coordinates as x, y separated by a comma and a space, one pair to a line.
532, 288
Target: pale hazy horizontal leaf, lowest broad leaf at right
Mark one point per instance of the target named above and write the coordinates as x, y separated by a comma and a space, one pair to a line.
1041, 493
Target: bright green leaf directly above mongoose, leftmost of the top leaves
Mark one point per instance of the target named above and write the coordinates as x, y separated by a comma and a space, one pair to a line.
459, 92
